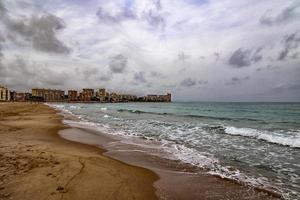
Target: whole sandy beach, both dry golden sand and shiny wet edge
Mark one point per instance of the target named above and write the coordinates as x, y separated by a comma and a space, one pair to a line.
37, 163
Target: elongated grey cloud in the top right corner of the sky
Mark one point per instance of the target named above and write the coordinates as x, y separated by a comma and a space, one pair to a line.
284, 16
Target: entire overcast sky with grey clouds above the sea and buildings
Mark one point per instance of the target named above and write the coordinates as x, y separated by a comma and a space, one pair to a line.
200, 50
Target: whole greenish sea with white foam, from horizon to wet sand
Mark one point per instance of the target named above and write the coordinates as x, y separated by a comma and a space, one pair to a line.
253, 143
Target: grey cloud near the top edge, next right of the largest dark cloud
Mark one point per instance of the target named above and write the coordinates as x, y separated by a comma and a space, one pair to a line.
109, 17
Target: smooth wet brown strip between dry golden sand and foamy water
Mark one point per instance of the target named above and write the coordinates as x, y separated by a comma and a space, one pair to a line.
172, 173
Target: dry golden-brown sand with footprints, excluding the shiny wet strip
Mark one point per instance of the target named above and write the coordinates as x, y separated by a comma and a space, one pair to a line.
35, 163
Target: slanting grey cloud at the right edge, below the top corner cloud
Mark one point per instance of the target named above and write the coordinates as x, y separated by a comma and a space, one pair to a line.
290, 43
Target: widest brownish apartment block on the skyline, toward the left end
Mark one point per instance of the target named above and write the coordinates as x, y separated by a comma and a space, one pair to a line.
49, 95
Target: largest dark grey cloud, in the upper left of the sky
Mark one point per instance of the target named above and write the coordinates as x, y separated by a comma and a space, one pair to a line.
40, 31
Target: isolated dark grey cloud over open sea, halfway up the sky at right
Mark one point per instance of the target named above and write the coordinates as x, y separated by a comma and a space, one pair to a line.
243, 58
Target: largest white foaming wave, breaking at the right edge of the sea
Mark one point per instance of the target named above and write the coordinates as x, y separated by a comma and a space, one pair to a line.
291, 139
